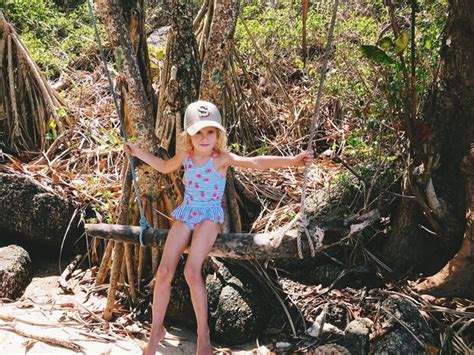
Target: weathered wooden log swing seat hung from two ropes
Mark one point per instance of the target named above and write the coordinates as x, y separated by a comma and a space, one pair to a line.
278, 244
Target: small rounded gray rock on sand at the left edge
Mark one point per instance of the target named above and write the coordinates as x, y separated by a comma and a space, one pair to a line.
15, 271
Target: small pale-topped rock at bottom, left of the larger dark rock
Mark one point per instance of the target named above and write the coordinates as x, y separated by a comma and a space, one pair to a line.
356, 338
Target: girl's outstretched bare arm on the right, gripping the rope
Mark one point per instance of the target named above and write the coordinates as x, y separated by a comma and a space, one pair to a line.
270, 161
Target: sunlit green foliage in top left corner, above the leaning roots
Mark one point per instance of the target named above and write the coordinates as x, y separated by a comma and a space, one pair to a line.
54, 39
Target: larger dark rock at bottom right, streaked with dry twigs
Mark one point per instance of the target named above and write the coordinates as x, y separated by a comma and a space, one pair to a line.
397, 339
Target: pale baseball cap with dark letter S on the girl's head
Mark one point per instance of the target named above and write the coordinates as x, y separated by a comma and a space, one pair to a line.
200, 114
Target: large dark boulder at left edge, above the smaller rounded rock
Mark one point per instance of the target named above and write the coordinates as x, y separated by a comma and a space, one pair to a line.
35, 212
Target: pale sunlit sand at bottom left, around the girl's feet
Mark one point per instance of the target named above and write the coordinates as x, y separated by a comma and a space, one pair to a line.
44, 313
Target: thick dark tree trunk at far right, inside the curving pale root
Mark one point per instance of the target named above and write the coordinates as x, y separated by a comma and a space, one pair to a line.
449, 114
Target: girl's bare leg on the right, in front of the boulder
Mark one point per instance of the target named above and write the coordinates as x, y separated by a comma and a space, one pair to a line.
202, 241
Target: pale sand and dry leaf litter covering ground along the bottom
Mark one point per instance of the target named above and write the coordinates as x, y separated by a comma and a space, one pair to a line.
47, 320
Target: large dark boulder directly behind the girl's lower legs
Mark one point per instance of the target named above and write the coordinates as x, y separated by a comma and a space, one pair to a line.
238, 309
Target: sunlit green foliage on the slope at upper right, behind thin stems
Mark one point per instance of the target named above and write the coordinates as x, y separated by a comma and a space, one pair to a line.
366, 74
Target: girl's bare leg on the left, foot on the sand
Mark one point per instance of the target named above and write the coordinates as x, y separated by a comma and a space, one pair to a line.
177, 241
